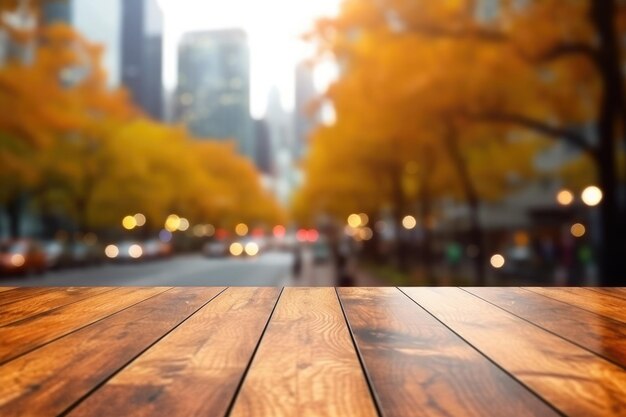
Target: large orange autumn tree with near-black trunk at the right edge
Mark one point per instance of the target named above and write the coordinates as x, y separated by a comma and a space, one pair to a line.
483, 66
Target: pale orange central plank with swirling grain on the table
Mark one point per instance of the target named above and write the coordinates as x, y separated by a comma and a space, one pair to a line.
320, 373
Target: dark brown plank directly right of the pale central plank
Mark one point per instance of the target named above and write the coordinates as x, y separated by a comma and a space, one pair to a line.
420, 368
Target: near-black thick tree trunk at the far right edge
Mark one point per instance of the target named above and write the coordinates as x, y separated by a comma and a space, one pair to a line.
611, 259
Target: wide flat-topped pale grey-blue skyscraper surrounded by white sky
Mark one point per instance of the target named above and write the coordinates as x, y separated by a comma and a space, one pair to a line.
213, 94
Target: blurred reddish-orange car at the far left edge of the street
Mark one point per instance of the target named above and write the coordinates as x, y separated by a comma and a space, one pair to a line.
23, 256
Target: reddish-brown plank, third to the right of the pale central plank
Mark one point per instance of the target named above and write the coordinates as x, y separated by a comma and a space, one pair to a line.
604, 336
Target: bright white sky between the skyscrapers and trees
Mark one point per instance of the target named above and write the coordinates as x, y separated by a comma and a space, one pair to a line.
273, 28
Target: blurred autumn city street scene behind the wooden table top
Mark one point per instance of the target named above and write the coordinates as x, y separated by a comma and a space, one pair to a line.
327, 142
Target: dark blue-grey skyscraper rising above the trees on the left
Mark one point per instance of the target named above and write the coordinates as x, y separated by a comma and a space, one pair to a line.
142, 54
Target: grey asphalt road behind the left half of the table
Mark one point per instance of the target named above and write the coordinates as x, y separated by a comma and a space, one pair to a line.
268, 269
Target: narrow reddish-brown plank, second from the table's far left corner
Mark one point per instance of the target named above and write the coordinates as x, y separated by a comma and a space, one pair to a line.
40, 303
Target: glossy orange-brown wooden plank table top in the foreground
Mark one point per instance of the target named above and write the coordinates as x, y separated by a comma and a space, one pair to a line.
312, 352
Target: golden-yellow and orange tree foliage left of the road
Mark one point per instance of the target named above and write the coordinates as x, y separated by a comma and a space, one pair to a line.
80, 150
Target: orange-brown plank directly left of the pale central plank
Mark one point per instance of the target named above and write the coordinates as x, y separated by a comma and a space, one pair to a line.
197, 368
